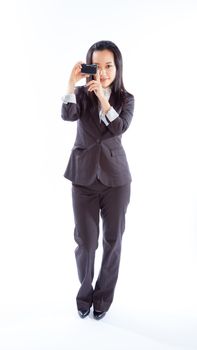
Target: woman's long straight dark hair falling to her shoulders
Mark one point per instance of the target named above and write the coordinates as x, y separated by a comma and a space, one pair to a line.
117, 85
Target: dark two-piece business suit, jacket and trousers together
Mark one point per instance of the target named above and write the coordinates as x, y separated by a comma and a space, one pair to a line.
101, 179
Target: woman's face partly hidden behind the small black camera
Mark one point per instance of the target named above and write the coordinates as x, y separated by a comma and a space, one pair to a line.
106, 66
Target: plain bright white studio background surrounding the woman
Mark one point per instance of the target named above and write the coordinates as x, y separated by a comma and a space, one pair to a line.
155, 302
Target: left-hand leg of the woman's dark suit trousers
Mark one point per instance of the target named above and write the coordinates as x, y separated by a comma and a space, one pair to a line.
86, 215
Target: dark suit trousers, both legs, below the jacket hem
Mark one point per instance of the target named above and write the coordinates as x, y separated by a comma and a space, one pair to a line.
89, 203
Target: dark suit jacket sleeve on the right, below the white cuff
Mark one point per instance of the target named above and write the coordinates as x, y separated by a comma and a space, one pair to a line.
120, 124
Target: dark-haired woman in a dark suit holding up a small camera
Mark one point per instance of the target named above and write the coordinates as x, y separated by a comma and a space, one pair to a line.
99, 171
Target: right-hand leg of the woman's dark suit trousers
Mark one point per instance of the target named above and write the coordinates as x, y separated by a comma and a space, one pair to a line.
114, 202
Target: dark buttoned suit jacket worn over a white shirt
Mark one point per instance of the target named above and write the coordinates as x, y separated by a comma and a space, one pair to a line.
98, 151
